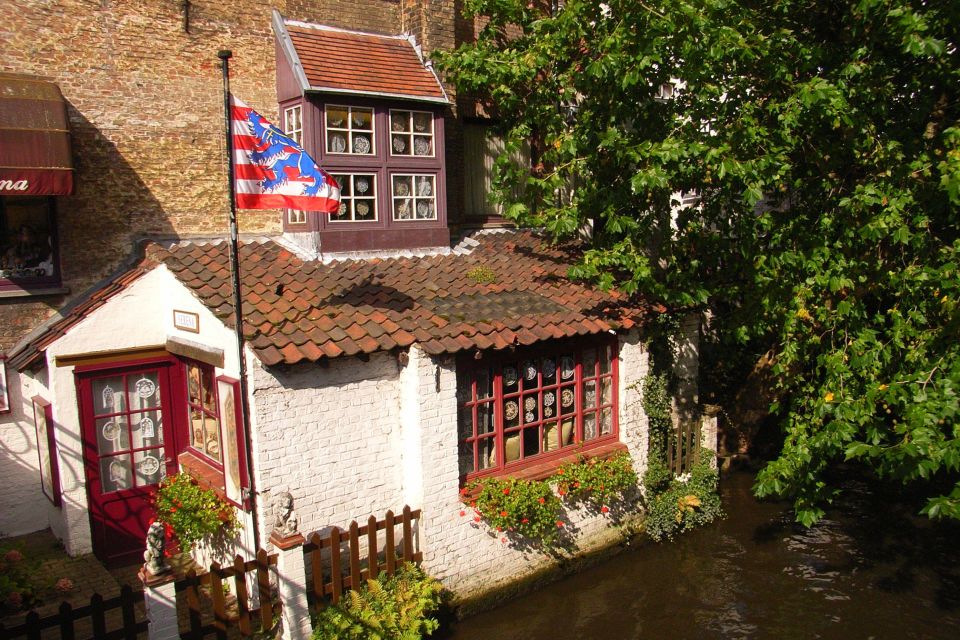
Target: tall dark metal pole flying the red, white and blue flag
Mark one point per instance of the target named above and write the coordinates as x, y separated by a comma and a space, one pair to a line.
225, 56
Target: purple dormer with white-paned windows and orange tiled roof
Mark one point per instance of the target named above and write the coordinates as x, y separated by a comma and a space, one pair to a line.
377, 129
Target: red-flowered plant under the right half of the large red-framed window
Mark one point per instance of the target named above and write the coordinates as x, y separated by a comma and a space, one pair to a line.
597, 482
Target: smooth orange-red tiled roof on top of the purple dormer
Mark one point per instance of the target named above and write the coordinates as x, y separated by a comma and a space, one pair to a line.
362, 63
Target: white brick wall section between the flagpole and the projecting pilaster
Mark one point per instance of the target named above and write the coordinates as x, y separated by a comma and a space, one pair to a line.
331, 437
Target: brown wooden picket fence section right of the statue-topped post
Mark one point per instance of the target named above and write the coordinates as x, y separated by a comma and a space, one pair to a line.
330, 578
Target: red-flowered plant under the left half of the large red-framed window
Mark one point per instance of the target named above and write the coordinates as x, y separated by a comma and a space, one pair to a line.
526, 508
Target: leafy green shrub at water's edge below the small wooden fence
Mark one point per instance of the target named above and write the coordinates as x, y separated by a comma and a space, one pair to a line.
686, 504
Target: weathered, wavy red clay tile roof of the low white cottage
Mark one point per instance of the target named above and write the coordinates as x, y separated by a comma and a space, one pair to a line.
511, 289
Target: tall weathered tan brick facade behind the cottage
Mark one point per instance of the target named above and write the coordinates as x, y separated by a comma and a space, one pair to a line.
145, 105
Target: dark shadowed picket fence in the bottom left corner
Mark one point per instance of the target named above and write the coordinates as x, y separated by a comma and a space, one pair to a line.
89, 622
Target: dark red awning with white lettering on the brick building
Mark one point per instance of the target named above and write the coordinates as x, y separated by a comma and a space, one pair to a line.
34, 138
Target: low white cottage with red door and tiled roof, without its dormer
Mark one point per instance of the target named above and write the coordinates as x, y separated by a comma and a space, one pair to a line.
371, 384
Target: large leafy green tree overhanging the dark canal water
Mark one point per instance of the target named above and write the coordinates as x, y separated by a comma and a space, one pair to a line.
823, 142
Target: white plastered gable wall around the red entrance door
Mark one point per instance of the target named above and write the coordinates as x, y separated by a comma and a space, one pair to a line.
140, 316
